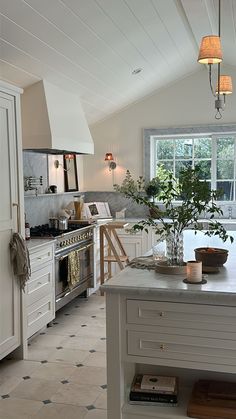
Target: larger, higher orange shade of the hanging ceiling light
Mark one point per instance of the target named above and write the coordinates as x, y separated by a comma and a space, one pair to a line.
210, 50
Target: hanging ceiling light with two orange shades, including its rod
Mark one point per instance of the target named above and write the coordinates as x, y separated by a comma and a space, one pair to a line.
211, 53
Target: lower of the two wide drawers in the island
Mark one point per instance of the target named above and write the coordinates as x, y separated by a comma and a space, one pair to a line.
182, 349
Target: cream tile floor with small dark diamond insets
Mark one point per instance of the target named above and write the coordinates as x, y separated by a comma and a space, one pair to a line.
65, 375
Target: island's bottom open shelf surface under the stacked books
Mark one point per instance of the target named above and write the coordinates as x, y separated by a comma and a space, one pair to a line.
132, 411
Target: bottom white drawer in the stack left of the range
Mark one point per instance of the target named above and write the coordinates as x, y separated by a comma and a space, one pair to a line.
39, 314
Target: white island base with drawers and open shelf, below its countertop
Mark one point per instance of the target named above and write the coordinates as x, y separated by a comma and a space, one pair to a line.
188, 340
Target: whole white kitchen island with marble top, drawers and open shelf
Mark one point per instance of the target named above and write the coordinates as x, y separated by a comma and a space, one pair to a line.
157, 324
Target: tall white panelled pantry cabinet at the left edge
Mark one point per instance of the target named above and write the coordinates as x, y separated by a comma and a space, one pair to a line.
11, 215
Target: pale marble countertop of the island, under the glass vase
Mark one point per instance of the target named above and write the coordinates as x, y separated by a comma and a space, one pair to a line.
219, 289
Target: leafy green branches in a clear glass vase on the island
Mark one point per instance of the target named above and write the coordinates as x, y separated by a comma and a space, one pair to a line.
182, 201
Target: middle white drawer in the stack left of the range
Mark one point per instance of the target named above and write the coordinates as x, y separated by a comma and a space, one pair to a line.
40, 284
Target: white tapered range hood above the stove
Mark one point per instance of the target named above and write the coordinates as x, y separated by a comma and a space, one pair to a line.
53, 121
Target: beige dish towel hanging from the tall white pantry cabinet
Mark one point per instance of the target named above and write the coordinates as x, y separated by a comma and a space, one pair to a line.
20, 259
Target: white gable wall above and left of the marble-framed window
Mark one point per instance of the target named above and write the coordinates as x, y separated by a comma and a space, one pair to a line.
188, 102
